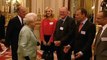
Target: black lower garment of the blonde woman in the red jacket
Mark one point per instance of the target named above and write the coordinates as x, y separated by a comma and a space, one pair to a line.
48, 50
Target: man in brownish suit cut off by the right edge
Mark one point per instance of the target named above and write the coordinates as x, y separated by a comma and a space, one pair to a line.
100, 52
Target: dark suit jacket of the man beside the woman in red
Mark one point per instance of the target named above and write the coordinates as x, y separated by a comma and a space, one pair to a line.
67, 34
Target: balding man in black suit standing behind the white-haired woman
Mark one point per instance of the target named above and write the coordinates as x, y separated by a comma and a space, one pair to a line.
13, 29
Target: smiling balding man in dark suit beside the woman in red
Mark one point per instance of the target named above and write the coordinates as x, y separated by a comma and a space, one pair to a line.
63, 34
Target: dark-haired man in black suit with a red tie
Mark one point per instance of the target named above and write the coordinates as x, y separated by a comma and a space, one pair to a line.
85, 33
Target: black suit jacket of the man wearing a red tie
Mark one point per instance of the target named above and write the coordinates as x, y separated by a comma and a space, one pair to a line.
84, 38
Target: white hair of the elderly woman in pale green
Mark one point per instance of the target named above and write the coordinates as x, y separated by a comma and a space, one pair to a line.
30, 17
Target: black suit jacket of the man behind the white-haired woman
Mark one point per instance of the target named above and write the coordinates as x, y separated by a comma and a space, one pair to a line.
12, 32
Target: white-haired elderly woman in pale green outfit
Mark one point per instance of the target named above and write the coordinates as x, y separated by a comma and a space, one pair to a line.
27, 41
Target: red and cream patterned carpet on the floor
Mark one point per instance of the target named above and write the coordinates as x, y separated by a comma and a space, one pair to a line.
5, 54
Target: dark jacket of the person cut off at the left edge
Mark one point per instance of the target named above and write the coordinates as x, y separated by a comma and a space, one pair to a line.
2, 27
